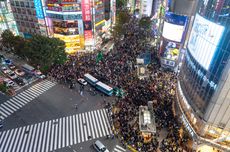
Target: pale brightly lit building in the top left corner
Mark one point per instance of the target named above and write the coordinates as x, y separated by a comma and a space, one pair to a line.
6, 18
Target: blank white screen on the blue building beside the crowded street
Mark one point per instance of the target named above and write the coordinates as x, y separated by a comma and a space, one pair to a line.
173, 32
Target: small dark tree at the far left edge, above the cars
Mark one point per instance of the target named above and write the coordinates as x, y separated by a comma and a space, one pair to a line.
7, 39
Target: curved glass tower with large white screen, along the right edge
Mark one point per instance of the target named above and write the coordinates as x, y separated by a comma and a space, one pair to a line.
204, 78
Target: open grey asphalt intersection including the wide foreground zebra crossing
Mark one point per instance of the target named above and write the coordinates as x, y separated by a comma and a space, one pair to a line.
54, 110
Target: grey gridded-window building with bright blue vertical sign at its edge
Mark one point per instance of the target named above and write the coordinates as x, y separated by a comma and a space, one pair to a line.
29, 16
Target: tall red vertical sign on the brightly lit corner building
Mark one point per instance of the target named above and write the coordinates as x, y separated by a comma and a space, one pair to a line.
86, 15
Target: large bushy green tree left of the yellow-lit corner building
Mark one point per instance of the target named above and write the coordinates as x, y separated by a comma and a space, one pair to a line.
45, 51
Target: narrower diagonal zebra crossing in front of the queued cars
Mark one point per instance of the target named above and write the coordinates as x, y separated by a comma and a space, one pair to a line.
12, 105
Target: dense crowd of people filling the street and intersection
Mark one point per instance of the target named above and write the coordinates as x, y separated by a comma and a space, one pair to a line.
117, 68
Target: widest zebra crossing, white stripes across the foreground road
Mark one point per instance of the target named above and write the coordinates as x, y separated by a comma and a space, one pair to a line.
57, 133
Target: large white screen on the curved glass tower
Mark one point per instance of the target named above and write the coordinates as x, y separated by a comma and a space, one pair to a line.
204, 39
